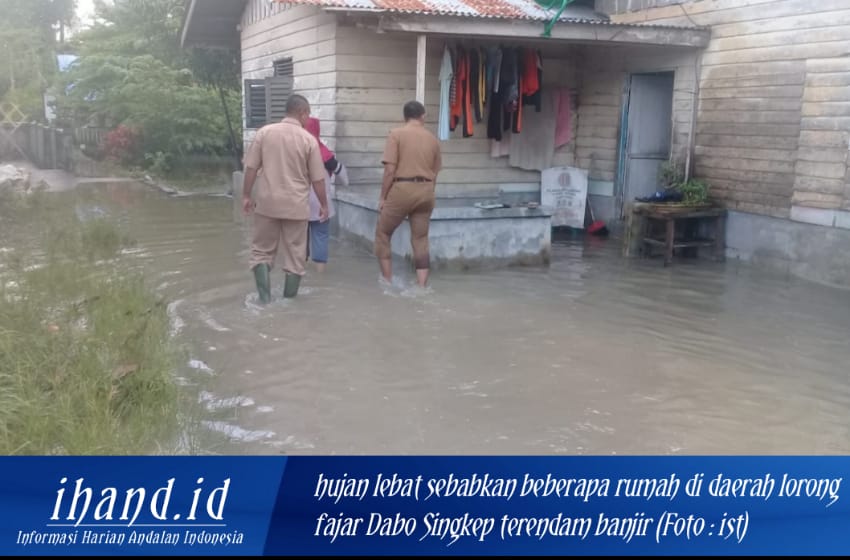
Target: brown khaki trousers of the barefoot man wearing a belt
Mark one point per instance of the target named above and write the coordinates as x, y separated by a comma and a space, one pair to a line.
414, 201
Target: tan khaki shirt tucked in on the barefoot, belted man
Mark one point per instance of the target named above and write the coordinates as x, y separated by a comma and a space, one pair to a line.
414, 150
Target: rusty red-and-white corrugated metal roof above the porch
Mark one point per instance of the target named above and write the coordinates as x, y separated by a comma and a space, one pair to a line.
502, 9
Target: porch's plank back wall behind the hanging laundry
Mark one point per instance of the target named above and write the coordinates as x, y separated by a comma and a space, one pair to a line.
376, 76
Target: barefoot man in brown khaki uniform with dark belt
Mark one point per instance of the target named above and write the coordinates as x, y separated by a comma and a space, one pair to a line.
412, 160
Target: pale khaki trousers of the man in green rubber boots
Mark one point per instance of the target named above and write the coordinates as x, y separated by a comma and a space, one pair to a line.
287, 238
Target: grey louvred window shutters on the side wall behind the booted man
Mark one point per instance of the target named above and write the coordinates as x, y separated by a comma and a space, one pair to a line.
265, 99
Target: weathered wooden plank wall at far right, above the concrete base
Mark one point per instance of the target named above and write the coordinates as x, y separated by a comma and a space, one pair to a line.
771, 99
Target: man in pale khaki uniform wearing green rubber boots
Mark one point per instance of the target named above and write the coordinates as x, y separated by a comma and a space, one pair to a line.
289, 159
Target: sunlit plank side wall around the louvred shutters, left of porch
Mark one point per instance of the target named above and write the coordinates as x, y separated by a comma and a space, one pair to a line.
305, 33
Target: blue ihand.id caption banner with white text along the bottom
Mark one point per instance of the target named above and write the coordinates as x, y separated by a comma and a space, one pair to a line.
280, 506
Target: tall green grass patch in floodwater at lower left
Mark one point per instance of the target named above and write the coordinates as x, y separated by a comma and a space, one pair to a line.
86, 360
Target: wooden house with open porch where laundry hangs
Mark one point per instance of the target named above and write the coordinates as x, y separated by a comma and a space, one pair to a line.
358, 61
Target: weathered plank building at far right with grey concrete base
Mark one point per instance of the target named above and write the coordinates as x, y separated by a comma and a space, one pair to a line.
772, 124
